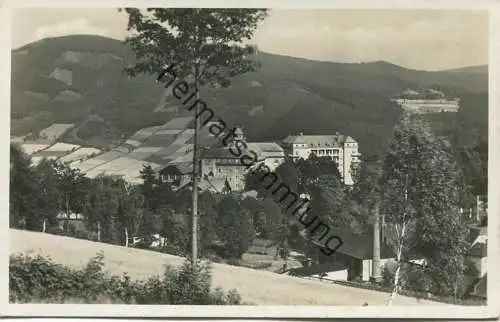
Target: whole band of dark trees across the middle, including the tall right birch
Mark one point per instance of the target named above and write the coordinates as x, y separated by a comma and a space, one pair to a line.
417, 188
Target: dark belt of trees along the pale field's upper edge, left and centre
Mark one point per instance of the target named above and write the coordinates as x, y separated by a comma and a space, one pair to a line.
42, 197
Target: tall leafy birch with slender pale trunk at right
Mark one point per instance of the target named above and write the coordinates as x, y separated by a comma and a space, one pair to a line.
418, 190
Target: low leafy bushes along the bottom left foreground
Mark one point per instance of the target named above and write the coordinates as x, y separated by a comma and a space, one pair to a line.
39, 280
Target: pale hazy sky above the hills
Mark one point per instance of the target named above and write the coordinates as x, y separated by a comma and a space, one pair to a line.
417, 39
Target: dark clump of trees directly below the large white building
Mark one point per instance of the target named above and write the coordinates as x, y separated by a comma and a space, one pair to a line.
316, 179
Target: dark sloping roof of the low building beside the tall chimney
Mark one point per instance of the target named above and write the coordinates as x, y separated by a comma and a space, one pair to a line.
356, 245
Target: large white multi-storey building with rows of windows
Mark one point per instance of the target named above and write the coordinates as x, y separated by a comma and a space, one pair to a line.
342, 149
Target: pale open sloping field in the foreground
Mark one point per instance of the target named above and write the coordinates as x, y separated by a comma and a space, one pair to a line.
256, 287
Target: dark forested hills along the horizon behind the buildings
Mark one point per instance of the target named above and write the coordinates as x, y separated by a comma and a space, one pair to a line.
79, 79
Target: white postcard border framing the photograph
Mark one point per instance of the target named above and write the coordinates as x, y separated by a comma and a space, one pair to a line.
438, 311
